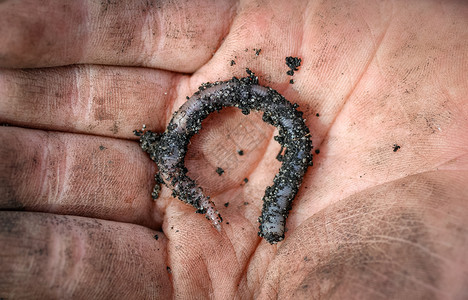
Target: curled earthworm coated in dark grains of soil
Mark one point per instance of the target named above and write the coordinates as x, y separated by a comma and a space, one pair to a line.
168, 149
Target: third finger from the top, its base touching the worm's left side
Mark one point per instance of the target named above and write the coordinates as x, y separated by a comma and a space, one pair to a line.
76, 174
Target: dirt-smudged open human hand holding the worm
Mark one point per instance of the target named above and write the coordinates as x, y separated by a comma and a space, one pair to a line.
77, 219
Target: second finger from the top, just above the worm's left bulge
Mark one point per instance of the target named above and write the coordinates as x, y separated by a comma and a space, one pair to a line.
111, 101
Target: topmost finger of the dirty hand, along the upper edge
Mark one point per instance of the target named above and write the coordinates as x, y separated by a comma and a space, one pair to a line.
170, 35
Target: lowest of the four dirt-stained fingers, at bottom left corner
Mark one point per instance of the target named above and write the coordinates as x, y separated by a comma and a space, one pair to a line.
46, 256
